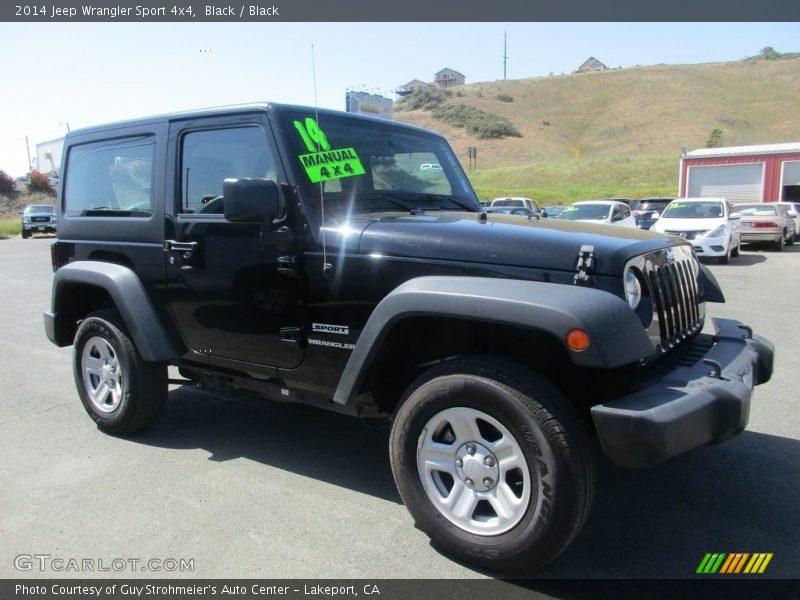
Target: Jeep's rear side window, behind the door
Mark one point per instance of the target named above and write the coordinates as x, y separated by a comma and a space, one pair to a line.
110, 177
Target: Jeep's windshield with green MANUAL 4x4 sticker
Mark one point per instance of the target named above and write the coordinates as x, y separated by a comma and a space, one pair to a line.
362, 165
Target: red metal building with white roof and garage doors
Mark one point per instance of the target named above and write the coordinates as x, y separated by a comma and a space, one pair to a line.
766, 173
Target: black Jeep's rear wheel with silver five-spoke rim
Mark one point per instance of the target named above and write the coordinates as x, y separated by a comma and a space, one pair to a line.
122, 392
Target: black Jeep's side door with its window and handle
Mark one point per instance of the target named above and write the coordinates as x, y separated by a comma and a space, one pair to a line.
225, 293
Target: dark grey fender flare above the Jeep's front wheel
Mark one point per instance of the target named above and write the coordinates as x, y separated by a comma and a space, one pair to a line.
616, 333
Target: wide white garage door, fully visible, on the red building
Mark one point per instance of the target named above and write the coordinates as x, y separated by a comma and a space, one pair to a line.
737, 183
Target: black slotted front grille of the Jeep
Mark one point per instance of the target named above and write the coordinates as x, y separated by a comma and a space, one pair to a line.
671, 277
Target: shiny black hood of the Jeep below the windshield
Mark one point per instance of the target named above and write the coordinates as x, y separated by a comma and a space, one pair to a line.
499, 239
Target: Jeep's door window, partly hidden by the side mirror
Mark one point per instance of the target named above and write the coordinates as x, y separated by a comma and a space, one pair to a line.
208, 157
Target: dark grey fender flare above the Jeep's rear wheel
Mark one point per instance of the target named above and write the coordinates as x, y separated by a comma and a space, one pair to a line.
130, 299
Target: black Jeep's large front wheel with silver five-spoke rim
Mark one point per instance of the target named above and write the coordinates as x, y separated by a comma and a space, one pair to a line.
492, 463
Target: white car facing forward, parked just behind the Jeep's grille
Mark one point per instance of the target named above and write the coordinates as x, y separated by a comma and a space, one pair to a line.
710, 224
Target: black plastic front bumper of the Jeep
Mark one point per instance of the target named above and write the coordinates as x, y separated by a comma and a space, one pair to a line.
690, 406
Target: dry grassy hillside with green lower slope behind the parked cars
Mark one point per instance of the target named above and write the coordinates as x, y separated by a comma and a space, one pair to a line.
621, 130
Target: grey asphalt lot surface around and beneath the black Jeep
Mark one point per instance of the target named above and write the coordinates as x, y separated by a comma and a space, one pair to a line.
266, 491
